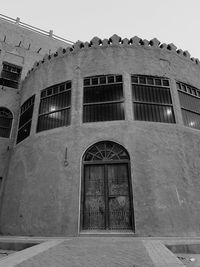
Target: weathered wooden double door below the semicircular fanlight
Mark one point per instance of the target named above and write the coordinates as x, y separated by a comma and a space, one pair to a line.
107, 197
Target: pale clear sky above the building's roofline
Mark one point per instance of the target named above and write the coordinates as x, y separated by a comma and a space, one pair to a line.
170, 21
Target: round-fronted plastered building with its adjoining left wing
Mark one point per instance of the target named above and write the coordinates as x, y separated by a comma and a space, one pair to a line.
101, 136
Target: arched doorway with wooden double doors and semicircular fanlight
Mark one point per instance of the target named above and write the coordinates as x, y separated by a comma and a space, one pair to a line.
106, 188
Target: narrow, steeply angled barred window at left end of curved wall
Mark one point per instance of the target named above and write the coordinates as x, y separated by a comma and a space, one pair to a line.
25, 120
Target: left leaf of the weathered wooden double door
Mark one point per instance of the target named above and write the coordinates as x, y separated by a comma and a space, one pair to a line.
94, 199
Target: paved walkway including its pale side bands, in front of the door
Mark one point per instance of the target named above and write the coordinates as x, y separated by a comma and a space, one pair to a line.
97, 252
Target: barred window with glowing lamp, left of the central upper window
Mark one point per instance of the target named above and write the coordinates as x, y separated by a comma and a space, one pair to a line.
55, 106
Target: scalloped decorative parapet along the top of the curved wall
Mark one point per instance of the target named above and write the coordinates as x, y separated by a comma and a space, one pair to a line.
116, 41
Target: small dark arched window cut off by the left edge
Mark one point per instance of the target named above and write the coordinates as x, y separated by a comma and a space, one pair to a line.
5, 122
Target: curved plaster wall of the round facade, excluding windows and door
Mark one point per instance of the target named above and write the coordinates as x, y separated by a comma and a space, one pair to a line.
42, 195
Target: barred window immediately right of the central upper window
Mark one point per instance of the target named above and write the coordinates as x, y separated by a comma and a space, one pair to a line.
152, 99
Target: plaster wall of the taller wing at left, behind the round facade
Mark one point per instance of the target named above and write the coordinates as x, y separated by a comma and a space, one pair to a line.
21, 47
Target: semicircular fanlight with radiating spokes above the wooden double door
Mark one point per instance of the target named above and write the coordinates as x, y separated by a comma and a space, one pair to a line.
106, 151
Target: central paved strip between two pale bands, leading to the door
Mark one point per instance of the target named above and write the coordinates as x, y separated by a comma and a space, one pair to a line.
93, 252
